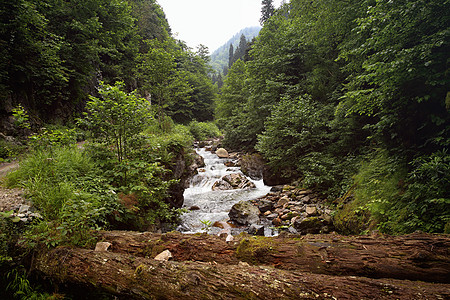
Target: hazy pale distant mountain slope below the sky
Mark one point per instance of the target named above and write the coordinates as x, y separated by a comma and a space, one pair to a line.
219, 58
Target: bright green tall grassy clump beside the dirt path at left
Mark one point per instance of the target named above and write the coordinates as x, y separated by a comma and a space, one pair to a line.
67, 188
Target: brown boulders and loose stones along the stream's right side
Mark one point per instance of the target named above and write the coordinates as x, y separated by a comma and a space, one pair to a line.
286, 207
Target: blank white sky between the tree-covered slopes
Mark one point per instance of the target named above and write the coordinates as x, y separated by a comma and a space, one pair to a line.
210, 22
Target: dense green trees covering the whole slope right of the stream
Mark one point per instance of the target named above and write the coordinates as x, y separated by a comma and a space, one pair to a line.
352, 98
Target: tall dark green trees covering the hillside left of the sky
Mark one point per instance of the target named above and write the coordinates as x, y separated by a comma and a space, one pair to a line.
55, 53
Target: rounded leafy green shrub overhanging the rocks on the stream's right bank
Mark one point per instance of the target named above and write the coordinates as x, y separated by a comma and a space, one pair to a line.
297, 138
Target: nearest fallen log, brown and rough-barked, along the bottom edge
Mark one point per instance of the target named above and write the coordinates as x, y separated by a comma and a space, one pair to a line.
130, 277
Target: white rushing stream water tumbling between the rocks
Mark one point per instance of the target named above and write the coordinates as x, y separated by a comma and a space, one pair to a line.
212, 205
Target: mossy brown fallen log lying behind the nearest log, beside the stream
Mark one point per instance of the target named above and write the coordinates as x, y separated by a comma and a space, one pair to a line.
417, 256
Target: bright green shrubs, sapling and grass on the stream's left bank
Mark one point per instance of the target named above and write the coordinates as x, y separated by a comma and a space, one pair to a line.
119, 179
